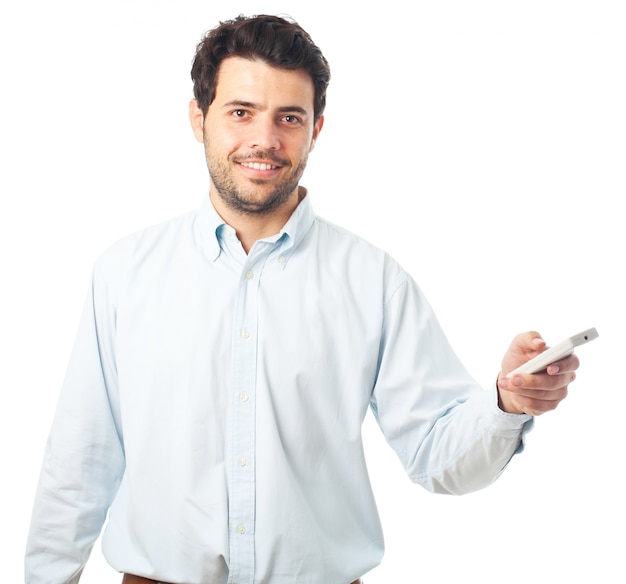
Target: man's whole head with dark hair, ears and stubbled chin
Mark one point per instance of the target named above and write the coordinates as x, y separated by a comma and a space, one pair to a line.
260, 90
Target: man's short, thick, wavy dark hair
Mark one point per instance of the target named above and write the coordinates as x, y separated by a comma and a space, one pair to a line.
277, 41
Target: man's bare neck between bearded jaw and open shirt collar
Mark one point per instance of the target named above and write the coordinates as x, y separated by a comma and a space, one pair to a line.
251, 227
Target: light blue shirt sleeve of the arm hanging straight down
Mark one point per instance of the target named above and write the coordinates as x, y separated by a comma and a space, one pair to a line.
84, 458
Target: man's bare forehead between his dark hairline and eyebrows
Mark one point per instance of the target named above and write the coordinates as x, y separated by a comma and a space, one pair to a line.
255, 81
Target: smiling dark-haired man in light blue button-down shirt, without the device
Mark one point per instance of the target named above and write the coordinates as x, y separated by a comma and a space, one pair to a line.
226, 359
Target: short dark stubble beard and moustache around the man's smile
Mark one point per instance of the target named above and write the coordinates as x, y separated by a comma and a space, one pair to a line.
257, 197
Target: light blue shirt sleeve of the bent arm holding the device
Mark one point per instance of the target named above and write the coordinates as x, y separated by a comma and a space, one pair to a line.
448, 432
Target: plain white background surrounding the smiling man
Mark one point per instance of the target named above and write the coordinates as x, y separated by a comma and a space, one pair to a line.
480, 143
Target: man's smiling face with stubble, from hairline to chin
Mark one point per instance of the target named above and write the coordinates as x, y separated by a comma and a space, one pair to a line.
257, 134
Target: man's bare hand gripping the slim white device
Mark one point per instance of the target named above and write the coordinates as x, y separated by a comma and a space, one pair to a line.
533, 394
